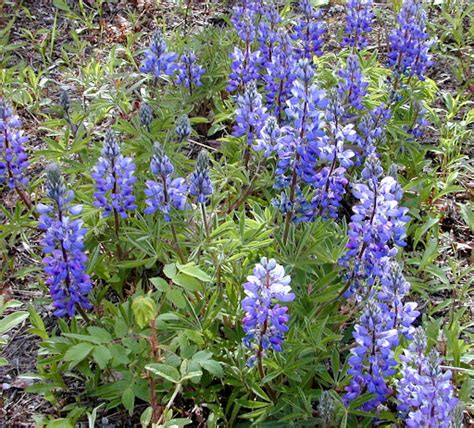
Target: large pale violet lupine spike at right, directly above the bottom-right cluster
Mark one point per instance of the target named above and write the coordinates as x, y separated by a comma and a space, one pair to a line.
377, 225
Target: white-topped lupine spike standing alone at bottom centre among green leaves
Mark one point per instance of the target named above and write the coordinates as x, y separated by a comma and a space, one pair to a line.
265, 320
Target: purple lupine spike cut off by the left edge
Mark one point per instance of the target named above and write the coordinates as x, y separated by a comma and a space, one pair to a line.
13, 157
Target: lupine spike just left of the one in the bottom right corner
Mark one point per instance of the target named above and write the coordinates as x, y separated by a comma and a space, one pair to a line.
372, 359
